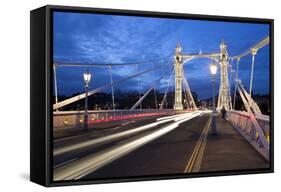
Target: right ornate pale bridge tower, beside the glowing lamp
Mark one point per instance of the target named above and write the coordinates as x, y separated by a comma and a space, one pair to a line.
224, 99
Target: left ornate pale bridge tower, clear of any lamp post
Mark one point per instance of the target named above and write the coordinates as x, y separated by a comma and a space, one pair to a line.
178, 63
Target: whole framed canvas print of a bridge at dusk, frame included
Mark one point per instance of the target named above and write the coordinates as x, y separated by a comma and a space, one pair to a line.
123, 95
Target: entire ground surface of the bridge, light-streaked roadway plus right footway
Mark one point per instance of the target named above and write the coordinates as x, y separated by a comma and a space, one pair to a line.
152, 146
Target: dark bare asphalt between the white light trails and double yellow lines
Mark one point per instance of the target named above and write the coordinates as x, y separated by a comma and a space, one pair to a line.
168, 154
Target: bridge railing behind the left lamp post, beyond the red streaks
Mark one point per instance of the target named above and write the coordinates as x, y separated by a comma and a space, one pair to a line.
71, 119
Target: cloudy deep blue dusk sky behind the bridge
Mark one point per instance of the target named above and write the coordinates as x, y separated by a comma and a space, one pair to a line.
108, 39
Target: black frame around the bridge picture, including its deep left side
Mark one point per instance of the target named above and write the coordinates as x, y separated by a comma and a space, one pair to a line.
41, 55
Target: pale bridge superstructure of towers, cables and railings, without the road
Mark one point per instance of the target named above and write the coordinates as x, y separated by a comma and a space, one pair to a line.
251, 123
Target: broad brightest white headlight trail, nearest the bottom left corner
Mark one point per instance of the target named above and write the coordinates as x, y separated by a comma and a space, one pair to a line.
86, 165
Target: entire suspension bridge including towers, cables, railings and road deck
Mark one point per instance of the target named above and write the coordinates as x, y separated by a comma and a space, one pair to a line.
139, 141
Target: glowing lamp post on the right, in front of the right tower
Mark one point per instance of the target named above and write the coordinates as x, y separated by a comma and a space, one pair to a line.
213, 71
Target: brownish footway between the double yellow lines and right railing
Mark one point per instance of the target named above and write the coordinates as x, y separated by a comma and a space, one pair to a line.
228, 150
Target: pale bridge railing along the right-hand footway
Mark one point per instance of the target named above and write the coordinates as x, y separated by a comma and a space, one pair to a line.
243, 122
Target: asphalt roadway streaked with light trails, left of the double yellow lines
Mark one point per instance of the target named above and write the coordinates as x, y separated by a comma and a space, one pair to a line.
137, 148
